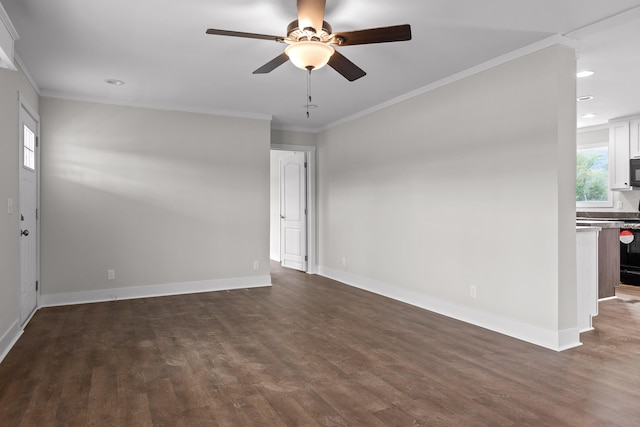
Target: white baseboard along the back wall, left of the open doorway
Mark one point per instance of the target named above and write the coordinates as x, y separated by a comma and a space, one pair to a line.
150, 291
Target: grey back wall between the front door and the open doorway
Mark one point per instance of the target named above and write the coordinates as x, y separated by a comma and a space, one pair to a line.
160, 197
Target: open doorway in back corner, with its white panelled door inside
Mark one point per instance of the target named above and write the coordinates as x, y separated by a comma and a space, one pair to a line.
292, 243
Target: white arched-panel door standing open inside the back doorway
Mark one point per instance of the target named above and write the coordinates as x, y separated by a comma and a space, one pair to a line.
293, 211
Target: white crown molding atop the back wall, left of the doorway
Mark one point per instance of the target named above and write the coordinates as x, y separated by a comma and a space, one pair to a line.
161, 107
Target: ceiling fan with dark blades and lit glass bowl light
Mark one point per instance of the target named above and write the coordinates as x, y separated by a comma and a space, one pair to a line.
311, 41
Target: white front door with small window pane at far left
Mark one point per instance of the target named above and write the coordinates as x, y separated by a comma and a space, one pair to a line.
28, 204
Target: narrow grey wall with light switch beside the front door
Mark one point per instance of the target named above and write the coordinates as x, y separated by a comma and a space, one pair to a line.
11, 82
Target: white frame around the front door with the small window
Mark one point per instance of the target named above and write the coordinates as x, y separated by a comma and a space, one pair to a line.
23, 104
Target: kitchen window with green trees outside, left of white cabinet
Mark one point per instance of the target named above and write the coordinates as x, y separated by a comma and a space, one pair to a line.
592, 176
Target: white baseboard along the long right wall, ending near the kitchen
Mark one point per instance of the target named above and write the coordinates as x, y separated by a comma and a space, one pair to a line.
554, 340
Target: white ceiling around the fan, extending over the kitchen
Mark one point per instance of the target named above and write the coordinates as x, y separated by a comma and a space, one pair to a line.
160, 49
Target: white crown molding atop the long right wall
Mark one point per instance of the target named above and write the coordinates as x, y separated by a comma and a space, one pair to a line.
500, 60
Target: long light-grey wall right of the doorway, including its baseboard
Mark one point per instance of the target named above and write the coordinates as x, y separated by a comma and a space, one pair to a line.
468, 185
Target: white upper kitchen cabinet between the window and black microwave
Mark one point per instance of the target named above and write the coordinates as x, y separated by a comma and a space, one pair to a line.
619, 156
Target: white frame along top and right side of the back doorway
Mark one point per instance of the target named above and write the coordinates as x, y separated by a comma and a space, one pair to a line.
310, 151
